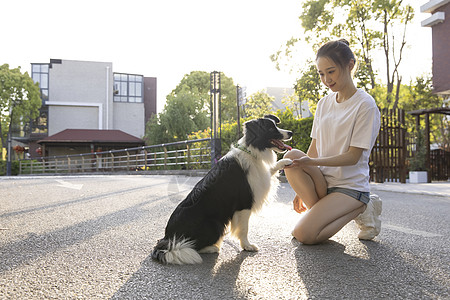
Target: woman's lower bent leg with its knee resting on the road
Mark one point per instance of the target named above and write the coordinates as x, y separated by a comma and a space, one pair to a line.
327, 217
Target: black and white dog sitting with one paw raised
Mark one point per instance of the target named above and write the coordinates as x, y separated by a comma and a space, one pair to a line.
238, 185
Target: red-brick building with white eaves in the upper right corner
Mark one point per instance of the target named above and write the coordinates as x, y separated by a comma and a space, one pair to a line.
439, 21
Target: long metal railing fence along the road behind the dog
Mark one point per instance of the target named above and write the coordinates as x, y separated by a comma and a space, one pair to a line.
192, 154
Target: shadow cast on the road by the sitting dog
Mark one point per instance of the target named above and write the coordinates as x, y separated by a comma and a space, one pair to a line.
213, 279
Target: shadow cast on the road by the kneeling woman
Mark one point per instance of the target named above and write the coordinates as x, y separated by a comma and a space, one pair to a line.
327, 271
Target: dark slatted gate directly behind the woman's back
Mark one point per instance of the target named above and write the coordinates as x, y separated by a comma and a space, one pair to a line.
388, 157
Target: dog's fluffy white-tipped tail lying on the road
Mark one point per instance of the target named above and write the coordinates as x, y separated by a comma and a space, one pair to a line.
176, 251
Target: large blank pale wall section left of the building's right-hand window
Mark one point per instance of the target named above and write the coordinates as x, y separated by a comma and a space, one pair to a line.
80, 96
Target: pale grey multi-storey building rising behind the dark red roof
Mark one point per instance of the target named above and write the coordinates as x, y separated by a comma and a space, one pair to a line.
89, 95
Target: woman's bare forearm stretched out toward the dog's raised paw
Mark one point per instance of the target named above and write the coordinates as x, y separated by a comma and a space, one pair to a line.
348, 158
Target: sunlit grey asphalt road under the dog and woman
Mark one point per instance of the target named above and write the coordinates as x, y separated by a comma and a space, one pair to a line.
91, 237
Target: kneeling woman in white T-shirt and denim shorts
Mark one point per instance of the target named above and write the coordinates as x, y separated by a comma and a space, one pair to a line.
332, 179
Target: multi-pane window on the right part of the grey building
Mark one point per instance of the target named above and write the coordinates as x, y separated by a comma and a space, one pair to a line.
128, 88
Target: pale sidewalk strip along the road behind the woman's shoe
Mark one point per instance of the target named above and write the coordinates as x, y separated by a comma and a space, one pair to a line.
435, 188
